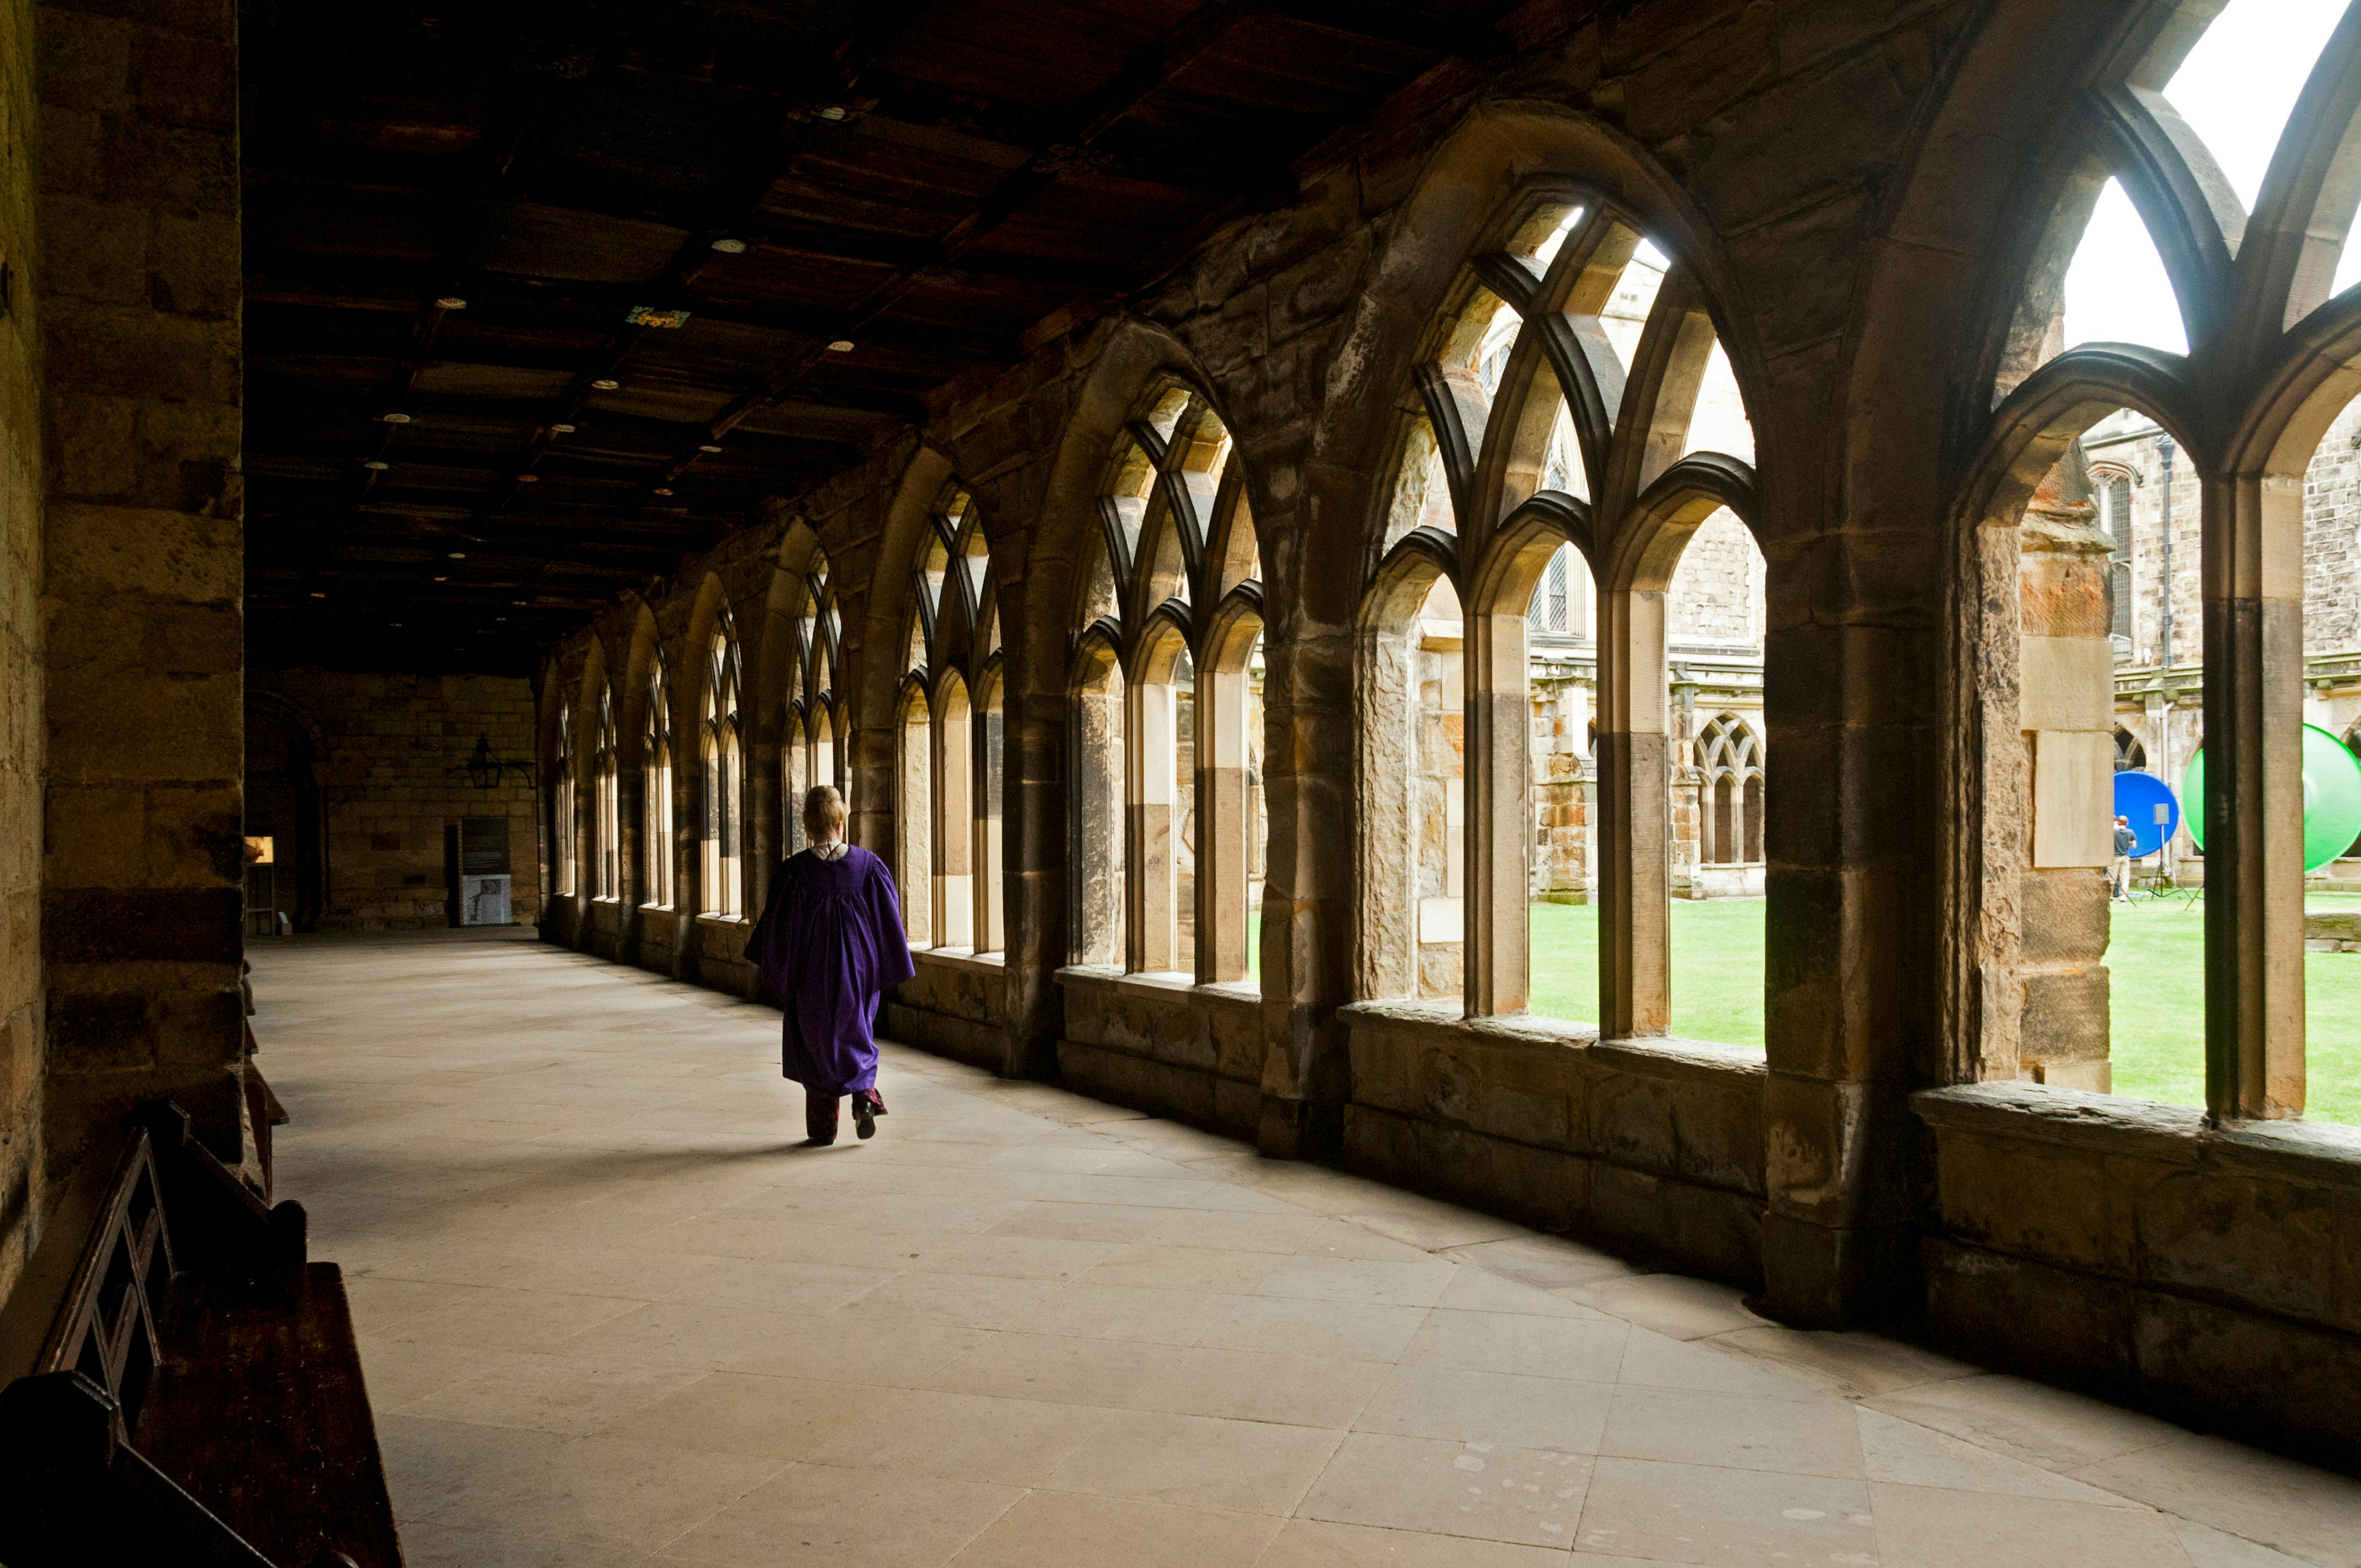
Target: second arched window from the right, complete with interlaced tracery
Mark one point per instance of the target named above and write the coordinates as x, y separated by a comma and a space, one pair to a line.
1564, 525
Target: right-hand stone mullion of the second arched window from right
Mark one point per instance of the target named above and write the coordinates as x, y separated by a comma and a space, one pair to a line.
1635, 818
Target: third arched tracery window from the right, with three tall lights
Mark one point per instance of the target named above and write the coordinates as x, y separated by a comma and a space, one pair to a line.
1168, 705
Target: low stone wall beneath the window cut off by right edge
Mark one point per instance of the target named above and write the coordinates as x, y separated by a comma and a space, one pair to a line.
2128, 1248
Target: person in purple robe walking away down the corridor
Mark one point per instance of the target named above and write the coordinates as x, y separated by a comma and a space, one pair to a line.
830, 943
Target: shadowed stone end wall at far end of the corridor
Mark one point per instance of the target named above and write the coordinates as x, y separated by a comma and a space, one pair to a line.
393, 788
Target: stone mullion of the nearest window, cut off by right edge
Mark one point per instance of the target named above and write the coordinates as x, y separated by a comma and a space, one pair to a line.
2256, 795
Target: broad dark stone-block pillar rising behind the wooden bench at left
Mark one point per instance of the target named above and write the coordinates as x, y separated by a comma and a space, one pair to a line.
145, 570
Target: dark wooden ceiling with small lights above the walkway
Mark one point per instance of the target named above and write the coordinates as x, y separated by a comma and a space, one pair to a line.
542, 299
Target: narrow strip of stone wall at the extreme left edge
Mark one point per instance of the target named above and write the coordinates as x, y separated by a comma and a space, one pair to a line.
22, 729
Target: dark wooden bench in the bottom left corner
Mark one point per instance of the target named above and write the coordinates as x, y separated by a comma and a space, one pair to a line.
200, 1394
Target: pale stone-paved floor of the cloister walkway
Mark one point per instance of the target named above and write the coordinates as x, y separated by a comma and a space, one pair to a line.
615, 1314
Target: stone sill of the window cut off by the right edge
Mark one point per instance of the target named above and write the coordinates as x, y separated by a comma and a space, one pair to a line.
2112, 1125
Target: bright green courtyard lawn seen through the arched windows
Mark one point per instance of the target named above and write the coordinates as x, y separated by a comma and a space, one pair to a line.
2157, 965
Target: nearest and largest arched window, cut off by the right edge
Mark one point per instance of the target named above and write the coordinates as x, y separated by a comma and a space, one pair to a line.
2202, 211
